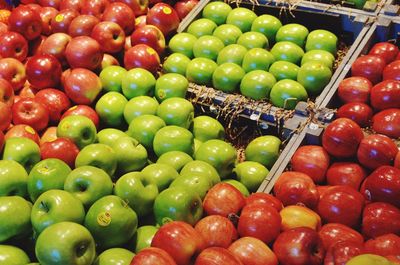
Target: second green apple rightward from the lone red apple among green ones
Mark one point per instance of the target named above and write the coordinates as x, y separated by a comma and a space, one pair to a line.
130, 155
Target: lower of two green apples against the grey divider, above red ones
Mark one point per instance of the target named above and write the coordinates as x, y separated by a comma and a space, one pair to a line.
251, 174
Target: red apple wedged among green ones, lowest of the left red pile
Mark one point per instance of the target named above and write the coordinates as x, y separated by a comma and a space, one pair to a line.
61, 148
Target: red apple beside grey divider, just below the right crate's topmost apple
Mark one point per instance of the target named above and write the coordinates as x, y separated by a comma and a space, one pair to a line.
370, 67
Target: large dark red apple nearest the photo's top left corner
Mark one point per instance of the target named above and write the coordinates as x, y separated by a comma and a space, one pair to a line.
25, 21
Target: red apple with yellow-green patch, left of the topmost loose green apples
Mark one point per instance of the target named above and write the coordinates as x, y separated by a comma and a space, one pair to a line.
82, 86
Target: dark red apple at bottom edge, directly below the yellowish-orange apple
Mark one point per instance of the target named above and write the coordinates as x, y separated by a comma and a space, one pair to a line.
299, 246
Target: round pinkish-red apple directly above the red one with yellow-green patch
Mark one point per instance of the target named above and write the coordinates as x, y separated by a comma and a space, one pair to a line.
84, 52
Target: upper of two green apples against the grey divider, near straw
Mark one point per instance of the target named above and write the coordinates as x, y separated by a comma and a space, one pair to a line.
264, 150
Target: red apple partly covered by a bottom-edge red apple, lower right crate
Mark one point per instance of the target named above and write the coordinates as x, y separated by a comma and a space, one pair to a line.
334, 232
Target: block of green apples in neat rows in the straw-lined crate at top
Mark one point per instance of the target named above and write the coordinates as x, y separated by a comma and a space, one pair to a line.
228, 49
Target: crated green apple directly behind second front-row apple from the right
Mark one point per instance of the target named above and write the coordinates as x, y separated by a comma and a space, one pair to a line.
257, 59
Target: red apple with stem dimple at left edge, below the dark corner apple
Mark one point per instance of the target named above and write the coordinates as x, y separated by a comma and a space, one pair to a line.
14, 45
